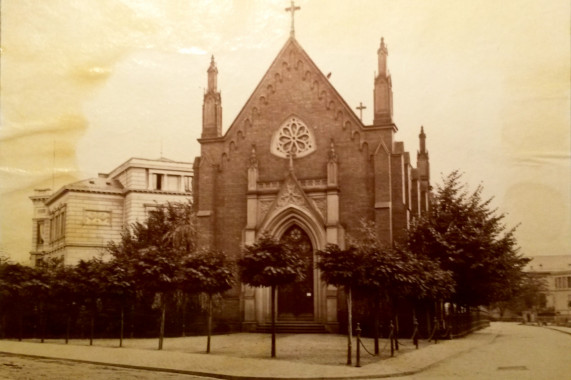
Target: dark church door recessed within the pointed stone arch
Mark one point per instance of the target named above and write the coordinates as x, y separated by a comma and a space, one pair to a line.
295, 301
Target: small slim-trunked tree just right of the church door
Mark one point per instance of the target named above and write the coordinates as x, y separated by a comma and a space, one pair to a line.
346, 268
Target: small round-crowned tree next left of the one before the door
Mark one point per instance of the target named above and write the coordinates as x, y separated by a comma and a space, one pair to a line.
209, 272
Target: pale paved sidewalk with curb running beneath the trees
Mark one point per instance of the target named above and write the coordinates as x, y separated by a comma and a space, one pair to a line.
248, 358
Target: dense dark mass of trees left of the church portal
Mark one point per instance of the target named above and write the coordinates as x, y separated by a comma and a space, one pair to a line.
156, 266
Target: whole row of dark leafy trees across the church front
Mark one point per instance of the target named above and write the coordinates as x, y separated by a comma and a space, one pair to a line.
460, 254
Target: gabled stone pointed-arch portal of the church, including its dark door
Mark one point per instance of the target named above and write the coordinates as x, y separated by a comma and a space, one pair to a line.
293, 218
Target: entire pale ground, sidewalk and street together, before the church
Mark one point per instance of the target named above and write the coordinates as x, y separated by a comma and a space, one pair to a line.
504, 350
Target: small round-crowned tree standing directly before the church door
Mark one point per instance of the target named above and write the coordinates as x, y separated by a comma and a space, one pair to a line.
269, 262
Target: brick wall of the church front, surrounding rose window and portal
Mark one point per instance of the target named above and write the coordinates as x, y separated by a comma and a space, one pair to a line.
372, 169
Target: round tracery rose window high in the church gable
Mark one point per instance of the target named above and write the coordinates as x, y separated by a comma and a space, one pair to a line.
293, 137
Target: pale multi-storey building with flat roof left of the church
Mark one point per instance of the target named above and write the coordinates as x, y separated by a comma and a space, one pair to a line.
78, 220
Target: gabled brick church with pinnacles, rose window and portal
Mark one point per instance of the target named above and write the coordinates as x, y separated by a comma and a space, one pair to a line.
297, 162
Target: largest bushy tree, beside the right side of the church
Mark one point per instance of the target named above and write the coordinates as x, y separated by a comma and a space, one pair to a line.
468, 238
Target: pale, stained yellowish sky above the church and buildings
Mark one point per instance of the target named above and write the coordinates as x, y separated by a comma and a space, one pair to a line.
85, 85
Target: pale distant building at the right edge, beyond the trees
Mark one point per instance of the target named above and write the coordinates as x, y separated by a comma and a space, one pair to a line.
557, 273
